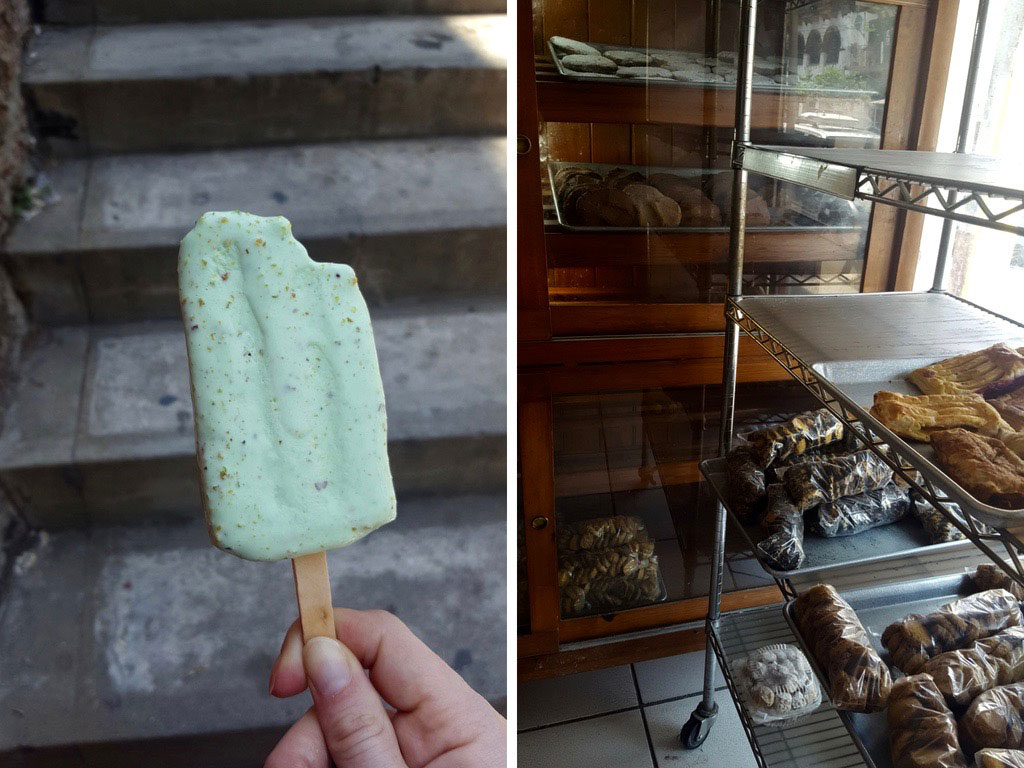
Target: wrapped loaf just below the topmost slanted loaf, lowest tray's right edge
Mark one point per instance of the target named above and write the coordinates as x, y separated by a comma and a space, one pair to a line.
962, 675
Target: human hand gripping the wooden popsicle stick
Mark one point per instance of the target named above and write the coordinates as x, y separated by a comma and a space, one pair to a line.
434, 720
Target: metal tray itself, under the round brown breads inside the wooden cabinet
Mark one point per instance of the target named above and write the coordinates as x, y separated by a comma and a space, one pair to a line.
647, 172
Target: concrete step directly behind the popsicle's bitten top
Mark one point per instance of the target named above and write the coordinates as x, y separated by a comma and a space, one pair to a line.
418, 220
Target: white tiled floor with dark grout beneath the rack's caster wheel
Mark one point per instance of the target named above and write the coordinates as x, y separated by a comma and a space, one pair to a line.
626, 717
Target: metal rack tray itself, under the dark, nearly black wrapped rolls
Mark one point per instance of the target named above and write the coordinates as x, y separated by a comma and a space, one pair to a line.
900, 539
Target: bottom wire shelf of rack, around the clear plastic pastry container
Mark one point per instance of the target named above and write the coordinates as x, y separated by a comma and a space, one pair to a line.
821, 739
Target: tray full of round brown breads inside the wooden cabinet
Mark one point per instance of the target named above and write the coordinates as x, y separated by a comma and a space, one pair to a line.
606, 198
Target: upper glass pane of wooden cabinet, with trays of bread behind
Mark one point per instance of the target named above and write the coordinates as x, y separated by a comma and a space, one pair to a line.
637, 207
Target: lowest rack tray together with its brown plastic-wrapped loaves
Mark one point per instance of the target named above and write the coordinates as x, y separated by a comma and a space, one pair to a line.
963, 650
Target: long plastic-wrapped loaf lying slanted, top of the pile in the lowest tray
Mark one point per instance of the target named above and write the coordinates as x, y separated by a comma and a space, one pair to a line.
916, 639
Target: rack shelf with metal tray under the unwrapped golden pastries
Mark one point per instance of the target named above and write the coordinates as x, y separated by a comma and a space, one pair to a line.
845, 348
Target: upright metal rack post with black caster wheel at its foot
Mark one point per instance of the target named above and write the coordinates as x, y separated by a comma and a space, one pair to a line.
700, 724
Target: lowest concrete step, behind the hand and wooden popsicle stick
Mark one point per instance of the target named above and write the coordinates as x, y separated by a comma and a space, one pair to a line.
132, 647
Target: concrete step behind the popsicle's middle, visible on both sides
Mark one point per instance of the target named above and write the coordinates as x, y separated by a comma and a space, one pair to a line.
100, 424
